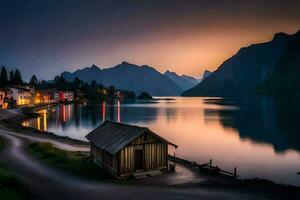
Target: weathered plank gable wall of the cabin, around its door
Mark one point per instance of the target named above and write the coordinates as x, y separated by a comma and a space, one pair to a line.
154, 153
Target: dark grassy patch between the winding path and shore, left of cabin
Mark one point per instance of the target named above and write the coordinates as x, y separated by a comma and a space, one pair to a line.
73, 162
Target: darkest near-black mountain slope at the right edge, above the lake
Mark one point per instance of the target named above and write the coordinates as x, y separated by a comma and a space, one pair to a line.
285, 77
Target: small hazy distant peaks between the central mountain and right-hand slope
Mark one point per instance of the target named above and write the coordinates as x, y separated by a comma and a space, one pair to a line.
184, 82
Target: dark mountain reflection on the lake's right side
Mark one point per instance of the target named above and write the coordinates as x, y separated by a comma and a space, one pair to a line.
267, 120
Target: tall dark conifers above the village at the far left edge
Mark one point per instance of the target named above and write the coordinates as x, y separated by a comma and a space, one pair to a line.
11, 78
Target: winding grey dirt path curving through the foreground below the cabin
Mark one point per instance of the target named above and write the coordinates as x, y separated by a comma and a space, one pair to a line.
47, 183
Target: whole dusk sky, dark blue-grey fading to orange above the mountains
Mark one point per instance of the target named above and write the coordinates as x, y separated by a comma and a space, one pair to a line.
186, 36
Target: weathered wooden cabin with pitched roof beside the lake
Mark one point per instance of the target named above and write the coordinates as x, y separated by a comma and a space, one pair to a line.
124, 150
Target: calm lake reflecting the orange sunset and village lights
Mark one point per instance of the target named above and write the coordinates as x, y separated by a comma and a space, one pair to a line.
260, 137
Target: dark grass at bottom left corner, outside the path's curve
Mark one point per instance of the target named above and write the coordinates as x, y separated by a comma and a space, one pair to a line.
11, 188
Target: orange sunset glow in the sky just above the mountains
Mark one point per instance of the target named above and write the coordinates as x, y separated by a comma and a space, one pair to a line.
193, 52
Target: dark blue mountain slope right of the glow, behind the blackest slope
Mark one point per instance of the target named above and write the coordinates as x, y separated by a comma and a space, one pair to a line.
244, 72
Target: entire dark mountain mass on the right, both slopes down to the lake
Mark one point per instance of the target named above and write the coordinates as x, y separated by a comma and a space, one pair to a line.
267, 68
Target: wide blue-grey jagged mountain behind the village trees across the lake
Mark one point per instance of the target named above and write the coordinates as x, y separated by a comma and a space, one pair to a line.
128, 76
